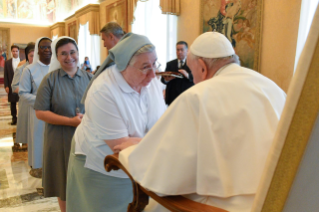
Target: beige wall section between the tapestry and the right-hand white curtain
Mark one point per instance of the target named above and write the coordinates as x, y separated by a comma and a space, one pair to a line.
279, 40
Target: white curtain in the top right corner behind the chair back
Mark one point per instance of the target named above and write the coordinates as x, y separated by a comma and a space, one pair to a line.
308, 8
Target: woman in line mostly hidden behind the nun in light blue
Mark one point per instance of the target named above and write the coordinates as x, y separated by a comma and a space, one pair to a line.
23, 112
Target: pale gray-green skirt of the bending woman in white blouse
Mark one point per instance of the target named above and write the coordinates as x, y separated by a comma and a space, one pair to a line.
88, 190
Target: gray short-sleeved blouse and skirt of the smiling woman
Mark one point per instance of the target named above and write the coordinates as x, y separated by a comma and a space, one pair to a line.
60, 94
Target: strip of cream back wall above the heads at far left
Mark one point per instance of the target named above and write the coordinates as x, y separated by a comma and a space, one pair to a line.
20, 33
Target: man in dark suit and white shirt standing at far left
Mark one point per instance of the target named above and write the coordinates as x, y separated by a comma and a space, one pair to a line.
9, 67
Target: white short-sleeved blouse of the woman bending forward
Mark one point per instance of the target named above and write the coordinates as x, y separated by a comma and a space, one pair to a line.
114, 110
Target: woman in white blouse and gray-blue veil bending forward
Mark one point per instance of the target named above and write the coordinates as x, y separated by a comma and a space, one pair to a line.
122, 104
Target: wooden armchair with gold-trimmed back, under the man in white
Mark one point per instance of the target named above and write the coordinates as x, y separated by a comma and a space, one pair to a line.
290, 182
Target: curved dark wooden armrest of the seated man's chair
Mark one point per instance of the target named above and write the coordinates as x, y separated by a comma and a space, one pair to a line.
173, 203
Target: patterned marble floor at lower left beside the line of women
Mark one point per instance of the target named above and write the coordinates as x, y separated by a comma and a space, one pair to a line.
18, 189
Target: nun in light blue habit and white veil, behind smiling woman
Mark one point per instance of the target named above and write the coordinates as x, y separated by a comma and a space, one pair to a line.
30, 81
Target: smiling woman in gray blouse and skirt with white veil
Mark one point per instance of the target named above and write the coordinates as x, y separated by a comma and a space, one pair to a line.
58, 104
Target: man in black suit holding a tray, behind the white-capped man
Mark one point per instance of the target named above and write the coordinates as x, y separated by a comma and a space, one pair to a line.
176, 86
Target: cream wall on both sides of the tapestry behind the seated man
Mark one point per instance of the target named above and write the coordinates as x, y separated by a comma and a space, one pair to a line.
279, 35
